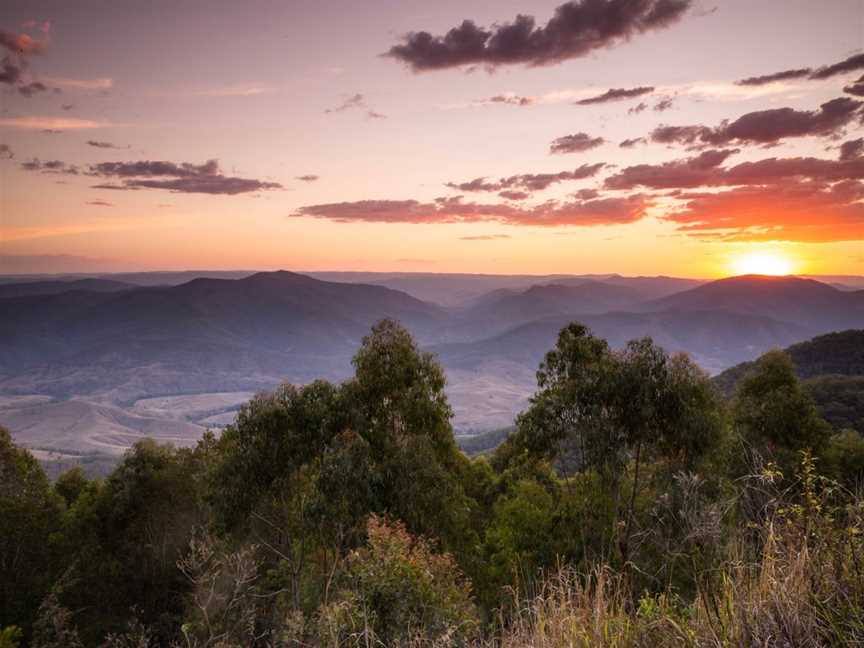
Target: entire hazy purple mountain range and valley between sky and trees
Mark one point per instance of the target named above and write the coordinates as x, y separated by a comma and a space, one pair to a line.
111, 342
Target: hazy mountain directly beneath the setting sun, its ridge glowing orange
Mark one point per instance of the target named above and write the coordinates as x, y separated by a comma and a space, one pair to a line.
810, 304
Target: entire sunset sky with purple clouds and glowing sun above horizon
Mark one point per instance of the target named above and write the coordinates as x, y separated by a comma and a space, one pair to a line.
680, 137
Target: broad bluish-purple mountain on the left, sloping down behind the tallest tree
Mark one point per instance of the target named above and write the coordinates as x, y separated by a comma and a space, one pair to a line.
208, 334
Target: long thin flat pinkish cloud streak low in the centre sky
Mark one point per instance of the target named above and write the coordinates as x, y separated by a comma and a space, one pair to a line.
600, 211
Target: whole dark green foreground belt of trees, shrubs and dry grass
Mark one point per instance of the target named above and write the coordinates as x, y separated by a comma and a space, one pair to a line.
627, 508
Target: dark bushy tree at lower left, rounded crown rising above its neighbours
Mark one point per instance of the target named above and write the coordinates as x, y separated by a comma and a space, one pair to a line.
123, 538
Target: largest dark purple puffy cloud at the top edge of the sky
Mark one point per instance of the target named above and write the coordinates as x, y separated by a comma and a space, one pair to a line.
576, 29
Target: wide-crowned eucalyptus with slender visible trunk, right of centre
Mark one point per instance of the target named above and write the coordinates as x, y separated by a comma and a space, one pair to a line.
602, 410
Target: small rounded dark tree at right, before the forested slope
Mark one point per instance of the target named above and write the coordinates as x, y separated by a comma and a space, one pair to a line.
774, 414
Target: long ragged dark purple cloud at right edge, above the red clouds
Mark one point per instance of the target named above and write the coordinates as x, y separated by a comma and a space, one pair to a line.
766, 127
